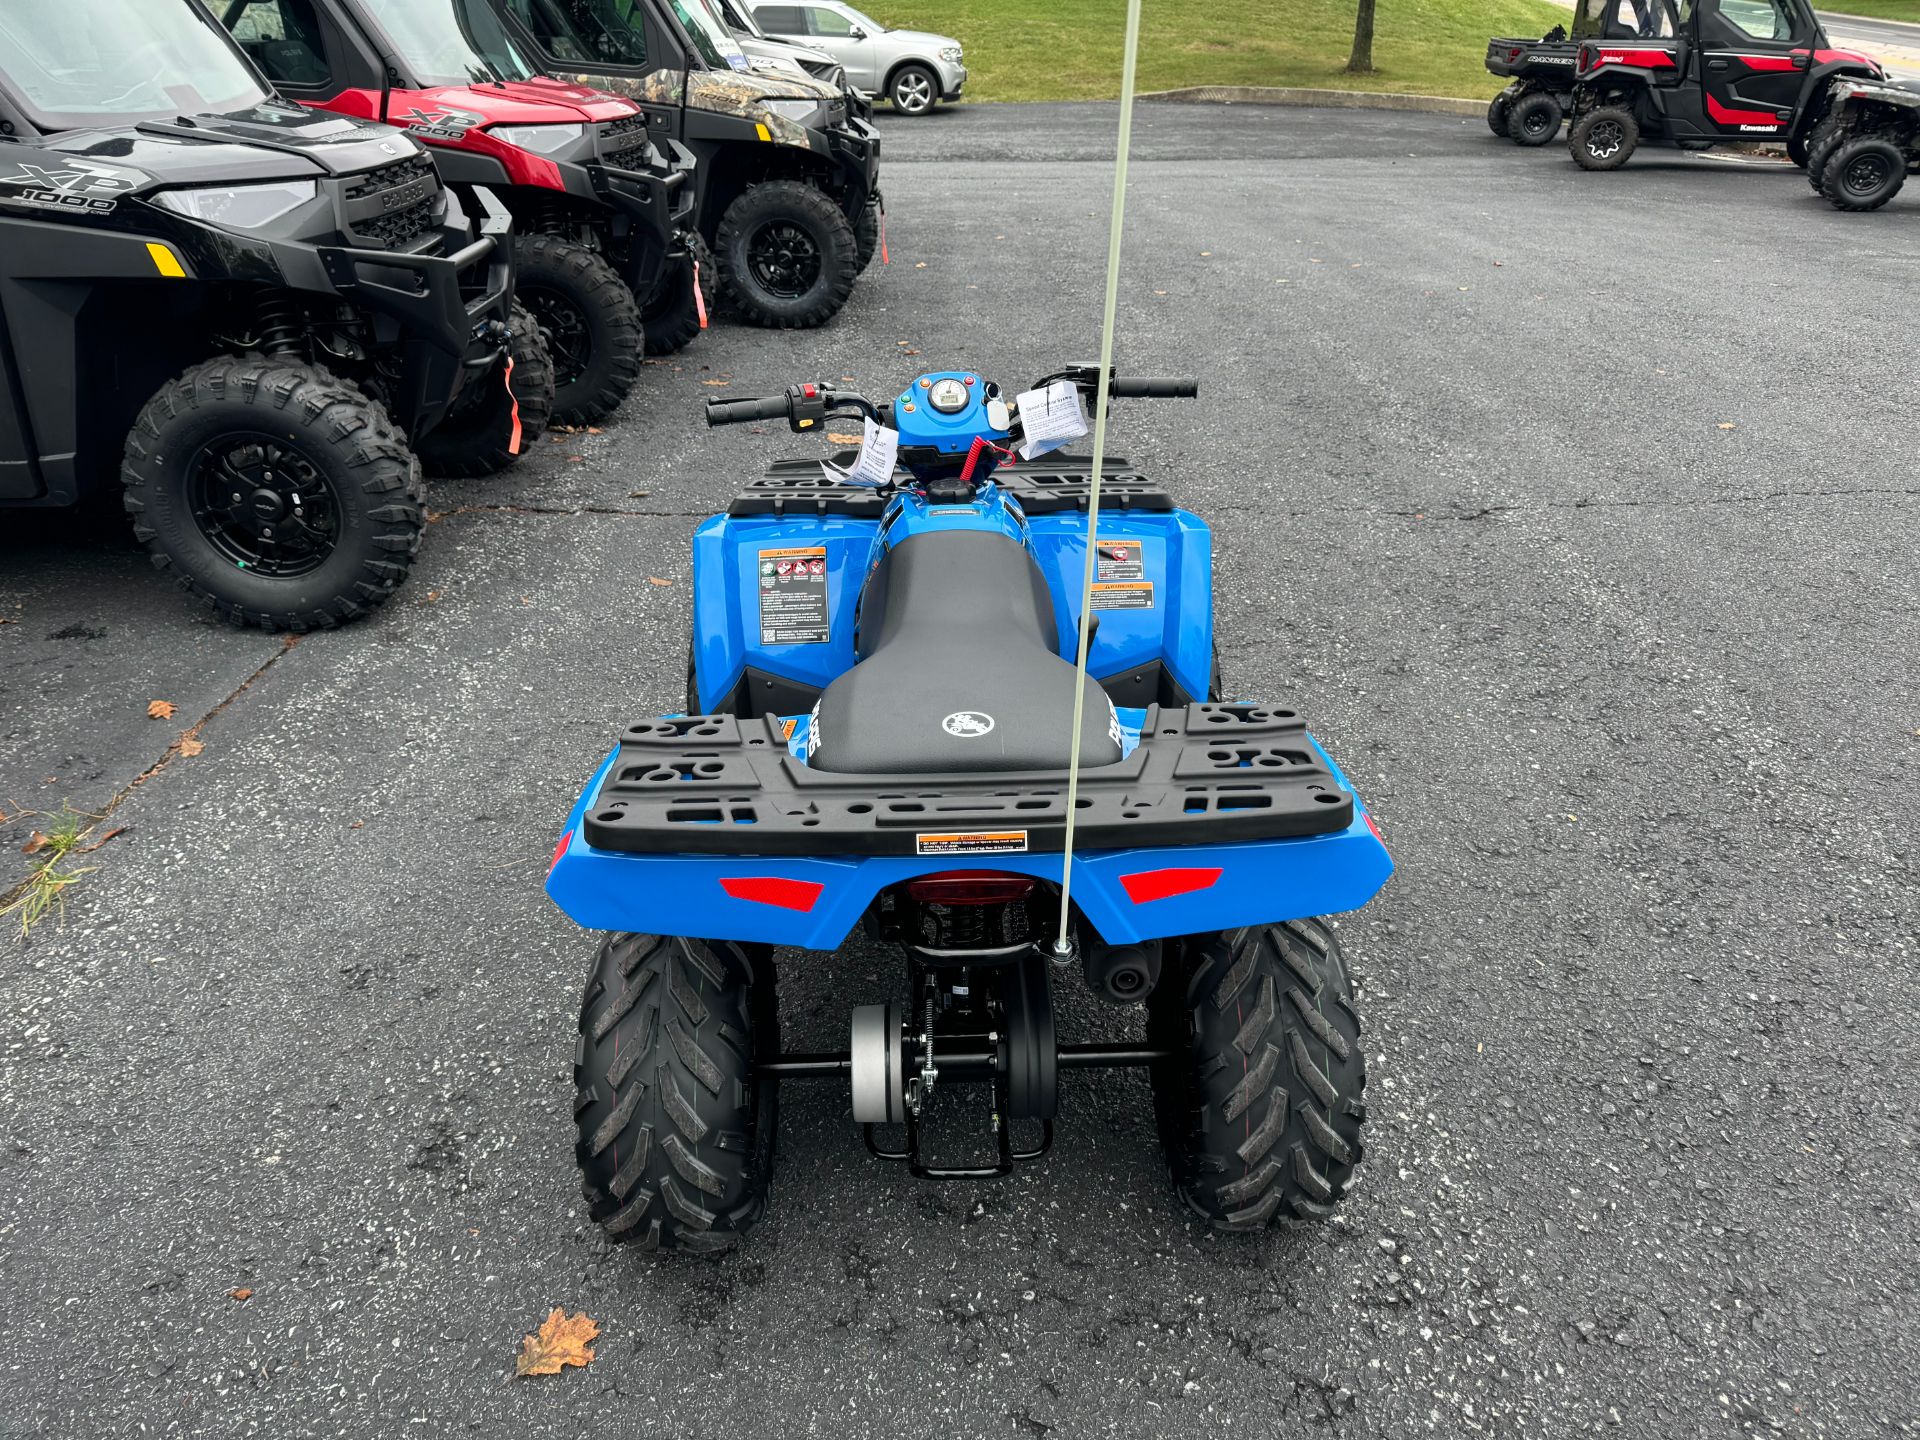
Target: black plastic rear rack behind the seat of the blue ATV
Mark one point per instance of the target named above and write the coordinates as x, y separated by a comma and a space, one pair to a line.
1203, 775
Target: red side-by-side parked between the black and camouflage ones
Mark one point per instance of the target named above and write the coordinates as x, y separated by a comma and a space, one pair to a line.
600, 212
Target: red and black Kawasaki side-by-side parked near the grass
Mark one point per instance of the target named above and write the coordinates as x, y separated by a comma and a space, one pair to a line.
1733, 70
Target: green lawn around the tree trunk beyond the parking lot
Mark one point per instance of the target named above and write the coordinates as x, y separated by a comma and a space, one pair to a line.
1070, 49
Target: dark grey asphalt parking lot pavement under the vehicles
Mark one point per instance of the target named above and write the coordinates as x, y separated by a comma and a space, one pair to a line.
1577, 512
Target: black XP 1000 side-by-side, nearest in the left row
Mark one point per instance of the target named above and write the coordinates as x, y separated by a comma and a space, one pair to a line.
239, 306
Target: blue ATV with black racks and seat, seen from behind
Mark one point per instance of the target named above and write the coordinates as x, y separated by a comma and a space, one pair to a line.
880, 727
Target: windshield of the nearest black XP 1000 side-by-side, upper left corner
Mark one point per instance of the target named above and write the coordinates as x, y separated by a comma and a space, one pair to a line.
103, 62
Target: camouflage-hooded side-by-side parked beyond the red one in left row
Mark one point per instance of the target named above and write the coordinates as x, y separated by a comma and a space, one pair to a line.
788, 174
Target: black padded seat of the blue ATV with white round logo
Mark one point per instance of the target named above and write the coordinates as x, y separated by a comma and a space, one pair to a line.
959, 669
